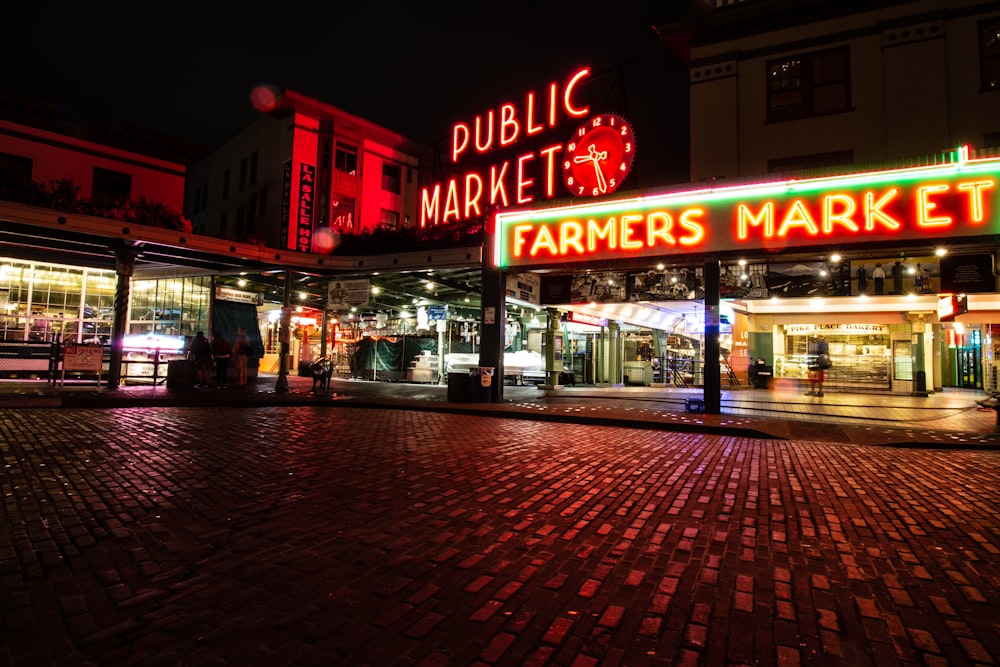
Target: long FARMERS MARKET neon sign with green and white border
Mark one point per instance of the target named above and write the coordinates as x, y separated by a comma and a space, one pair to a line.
956, 199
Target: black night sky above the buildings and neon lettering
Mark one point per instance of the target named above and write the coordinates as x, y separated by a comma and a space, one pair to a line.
187, 69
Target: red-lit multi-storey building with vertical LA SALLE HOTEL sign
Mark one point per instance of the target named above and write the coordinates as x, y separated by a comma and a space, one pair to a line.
303, 174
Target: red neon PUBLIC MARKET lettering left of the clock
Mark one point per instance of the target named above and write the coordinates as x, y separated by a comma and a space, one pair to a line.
511, 181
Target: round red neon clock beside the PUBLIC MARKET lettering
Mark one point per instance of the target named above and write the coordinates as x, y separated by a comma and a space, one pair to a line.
598, 156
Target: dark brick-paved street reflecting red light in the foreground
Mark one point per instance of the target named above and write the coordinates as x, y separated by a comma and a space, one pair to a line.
311, 536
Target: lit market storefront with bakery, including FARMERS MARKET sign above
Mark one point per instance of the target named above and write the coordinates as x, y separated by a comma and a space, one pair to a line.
753, 271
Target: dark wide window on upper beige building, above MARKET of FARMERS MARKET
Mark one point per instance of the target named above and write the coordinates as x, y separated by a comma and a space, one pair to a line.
810, 84
